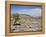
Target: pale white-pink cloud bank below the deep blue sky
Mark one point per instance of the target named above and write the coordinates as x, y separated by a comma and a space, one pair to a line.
32, 12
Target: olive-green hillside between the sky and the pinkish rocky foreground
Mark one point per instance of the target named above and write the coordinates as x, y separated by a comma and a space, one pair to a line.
24, 18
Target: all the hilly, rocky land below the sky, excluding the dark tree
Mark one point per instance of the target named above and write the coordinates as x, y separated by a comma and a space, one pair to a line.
27, 23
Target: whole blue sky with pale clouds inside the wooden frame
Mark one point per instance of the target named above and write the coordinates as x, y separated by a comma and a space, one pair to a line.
29, 10
